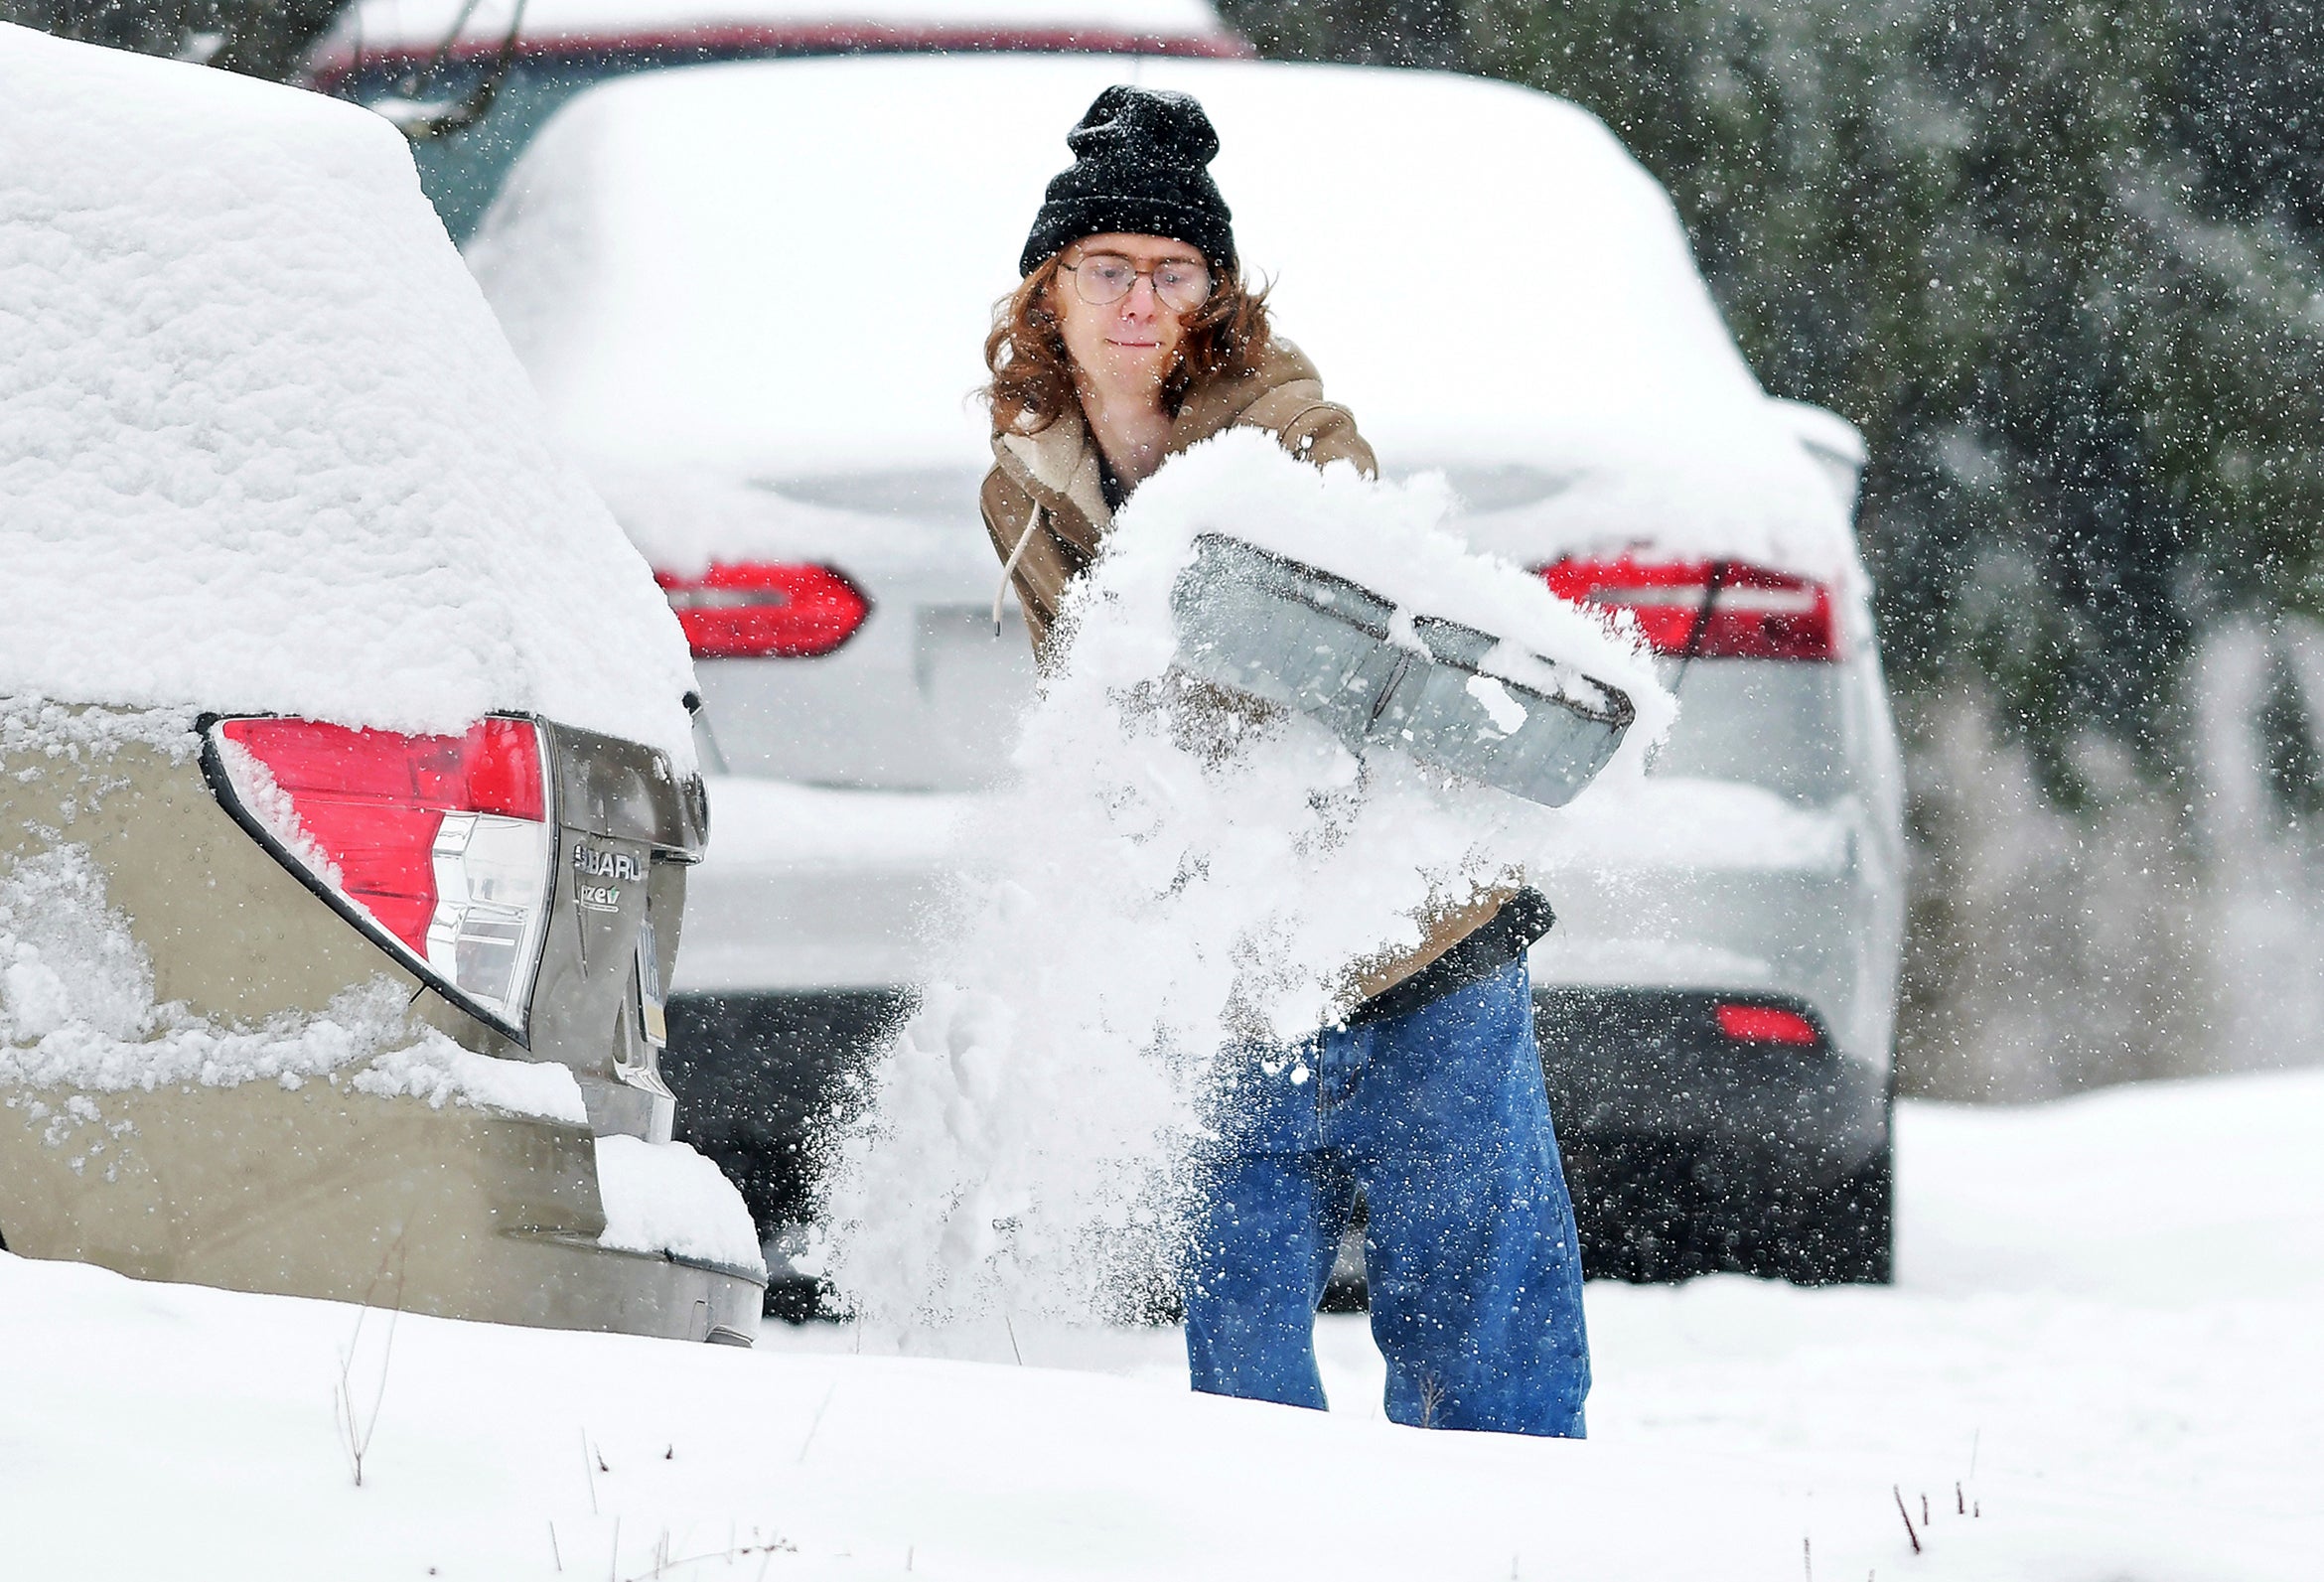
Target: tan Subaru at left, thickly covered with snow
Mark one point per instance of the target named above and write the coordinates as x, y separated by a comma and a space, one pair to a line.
347, 786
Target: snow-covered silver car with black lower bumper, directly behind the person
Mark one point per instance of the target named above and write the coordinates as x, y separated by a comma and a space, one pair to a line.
1502, 296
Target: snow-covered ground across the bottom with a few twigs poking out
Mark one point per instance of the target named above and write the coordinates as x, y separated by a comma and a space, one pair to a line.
2104, 1346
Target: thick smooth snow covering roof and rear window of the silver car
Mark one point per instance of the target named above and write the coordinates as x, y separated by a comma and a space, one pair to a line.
787, 268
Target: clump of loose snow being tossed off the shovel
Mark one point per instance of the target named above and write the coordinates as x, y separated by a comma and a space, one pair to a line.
1170, 877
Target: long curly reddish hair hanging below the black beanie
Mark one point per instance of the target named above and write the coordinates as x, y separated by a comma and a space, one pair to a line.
1033, 377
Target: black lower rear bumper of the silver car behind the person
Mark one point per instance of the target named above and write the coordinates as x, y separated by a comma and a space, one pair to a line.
1684, 1149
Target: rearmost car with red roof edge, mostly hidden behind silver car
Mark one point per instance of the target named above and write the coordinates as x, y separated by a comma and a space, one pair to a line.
473, 80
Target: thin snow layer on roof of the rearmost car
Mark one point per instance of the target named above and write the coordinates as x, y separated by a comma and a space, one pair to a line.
403, 24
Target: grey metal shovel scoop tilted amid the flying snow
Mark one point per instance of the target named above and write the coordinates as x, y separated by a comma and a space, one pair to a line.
1321, 645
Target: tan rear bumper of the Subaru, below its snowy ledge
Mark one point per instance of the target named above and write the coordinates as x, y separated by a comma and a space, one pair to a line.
329, 1193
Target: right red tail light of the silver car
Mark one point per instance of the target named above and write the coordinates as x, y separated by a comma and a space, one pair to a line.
1756, 614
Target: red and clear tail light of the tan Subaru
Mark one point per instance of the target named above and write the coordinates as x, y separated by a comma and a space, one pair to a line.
436, 847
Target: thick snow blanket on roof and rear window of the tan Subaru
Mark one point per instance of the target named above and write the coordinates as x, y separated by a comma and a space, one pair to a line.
261, 443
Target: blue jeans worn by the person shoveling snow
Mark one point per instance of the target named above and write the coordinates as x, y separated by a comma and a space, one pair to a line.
1470, 1251
